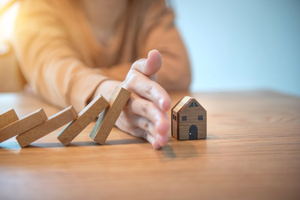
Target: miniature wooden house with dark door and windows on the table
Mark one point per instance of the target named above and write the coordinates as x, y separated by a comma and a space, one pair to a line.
188, 120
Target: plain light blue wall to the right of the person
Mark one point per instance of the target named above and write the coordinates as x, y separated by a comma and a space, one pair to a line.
242, 44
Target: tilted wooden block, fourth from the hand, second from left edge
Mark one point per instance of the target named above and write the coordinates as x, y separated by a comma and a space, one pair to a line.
23, 125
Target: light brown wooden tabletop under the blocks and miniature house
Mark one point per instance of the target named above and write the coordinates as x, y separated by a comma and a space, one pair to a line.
252, 152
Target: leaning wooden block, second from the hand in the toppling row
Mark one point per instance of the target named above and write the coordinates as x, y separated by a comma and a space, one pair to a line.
85, 117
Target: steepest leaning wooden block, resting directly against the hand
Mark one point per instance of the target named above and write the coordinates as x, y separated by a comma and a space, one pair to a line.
109, 116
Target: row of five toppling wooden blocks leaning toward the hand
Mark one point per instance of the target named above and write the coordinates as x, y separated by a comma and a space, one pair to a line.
36, 125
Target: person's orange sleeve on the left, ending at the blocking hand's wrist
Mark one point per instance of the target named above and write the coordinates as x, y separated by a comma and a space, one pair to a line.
49, 61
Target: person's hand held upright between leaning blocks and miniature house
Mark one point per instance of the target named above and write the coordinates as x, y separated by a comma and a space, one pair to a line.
145, 113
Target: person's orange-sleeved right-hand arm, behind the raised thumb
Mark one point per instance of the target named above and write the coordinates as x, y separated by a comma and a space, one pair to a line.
159, 32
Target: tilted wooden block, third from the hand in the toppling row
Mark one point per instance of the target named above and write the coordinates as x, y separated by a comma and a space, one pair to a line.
53, 123
